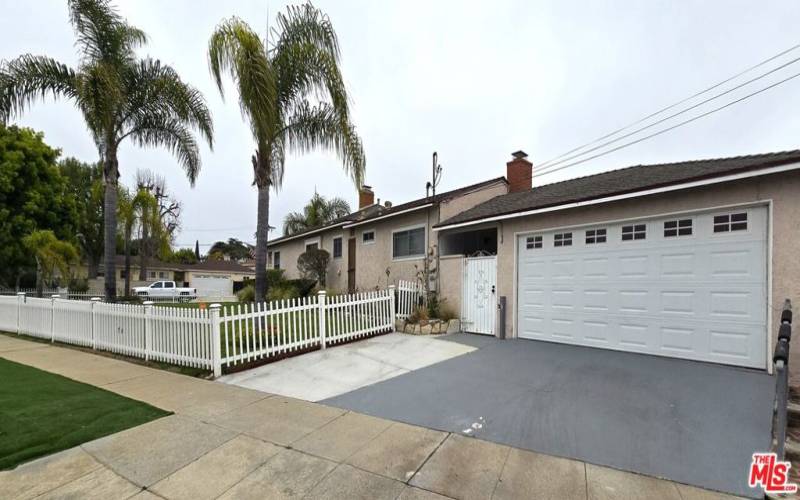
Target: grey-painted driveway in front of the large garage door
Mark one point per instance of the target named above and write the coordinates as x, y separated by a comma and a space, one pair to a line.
690, 422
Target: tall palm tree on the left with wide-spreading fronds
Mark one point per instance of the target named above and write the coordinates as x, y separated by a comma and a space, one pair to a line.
121, 97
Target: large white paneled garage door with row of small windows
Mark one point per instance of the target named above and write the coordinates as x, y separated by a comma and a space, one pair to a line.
689, 286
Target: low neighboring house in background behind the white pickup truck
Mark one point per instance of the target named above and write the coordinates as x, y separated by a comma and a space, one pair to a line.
211, 278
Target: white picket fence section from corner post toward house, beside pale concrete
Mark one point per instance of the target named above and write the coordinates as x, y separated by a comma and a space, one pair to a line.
252, 332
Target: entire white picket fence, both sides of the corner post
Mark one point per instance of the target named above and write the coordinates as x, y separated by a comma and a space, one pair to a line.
203, 338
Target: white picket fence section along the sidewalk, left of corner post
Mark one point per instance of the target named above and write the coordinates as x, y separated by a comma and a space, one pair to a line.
179, 336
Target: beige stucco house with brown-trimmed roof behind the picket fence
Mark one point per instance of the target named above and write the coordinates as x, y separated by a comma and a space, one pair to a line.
380, 244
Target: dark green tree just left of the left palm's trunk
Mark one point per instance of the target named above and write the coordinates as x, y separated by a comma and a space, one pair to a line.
85, 186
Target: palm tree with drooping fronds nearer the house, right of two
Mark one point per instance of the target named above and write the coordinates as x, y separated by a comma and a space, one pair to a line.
275, 81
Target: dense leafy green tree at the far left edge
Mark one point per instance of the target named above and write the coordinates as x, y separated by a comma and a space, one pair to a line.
33, 195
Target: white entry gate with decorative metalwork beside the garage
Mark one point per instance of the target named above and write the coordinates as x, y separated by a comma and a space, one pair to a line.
479, 303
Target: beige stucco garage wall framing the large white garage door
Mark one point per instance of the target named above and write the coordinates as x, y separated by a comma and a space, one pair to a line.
782, 189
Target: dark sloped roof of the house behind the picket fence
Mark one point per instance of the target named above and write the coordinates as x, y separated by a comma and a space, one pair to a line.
373, 212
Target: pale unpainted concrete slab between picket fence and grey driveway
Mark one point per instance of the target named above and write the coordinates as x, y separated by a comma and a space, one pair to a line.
330, 372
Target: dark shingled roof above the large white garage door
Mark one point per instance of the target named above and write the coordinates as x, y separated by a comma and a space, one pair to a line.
618, 182
